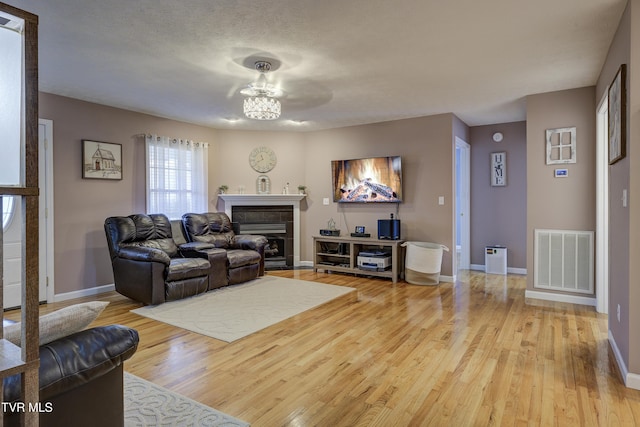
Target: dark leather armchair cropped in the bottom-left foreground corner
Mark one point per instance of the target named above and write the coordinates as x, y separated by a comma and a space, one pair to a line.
80, 379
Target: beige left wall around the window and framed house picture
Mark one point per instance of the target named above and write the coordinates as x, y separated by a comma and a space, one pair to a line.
81, 259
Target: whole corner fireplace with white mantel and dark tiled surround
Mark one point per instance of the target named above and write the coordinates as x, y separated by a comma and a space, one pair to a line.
273, 215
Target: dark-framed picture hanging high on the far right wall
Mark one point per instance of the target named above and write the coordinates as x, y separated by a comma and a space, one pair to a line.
618, 116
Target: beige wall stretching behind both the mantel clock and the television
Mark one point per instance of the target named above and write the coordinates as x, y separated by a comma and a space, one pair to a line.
425, 145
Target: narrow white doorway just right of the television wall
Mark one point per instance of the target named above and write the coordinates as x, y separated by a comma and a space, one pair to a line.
463, 204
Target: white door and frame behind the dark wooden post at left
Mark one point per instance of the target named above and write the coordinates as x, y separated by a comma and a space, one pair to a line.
12, 248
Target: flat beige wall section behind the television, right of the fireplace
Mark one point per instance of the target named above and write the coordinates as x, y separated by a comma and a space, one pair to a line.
426, 147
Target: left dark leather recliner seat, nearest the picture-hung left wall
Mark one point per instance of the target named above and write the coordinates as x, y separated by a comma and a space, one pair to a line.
147, 264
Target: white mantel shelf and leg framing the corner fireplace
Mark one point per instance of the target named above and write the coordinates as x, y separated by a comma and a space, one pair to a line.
231, 200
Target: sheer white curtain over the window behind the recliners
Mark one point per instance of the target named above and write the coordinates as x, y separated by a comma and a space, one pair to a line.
177, 175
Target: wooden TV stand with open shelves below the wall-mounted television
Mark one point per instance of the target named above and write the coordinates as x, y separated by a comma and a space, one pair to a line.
337, 253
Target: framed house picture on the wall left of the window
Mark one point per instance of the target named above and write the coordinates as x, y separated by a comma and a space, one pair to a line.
101, 160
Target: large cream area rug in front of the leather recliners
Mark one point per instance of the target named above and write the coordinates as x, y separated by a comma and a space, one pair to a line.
233, 312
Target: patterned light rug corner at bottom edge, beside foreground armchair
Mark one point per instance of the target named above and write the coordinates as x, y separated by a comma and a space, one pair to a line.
148, 404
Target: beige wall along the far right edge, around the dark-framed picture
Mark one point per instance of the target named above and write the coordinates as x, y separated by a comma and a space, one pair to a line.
624, 223
